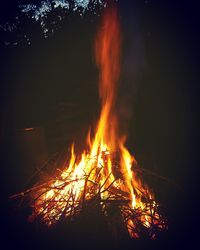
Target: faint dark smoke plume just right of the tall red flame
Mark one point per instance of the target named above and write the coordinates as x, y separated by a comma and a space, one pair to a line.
133, 61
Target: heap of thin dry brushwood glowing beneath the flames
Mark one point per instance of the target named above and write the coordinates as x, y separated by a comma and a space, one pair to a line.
51, 202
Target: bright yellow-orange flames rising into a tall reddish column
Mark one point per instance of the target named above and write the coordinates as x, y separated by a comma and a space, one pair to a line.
96, 166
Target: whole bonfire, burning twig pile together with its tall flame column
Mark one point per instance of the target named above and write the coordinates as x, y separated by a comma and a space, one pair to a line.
105, 171
